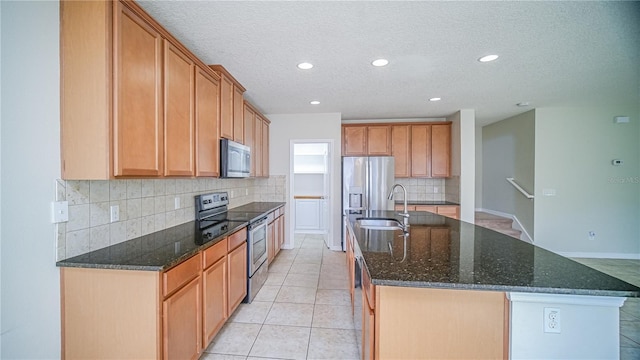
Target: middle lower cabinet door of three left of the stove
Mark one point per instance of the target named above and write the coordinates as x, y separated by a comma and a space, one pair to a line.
214, 289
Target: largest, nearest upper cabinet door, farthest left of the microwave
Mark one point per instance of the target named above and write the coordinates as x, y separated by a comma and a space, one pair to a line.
137, 115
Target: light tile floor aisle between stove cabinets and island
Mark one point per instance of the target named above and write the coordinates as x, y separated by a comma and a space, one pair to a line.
302, 312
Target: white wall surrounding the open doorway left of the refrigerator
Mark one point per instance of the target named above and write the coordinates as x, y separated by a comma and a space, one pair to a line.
287, 127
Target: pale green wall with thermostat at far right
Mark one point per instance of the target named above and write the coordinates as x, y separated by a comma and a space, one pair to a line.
574, 149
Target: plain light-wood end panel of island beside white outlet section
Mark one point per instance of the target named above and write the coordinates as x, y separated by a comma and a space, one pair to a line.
423, 323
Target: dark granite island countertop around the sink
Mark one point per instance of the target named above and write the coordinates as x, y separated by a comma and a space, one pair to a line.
440, 252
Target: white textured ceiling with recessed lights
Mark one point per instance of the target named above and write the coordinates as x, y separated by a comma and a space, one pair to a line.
551, 54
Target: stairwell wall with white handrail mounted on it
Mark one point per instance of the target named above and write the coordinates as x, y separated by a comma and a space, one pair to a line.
509, 150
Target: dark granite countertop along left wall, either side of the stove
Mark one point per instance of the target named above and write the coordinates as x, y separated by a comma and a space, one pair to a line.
160, 250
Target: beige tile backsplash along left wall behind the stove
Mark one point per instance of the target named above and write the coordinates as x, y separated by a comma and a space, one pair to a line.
145, 206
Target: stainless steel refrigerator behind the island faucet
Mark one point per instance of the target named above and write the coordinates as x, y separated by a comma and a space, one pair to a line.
366, 183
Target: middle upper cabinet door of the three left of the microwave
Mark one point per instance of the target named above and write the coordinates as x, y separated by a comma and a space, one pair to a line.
178, 112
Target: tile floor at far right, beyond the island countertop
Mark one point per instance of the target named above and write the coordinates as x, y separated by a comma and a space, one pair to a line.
629, 271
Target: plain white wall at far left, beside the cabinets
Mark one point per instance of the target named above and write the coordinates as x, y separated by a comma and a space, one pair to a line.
30, 148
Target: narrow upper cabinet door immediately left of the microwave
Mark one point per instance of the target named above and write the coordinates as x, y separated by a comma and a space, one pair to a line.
207, 123
